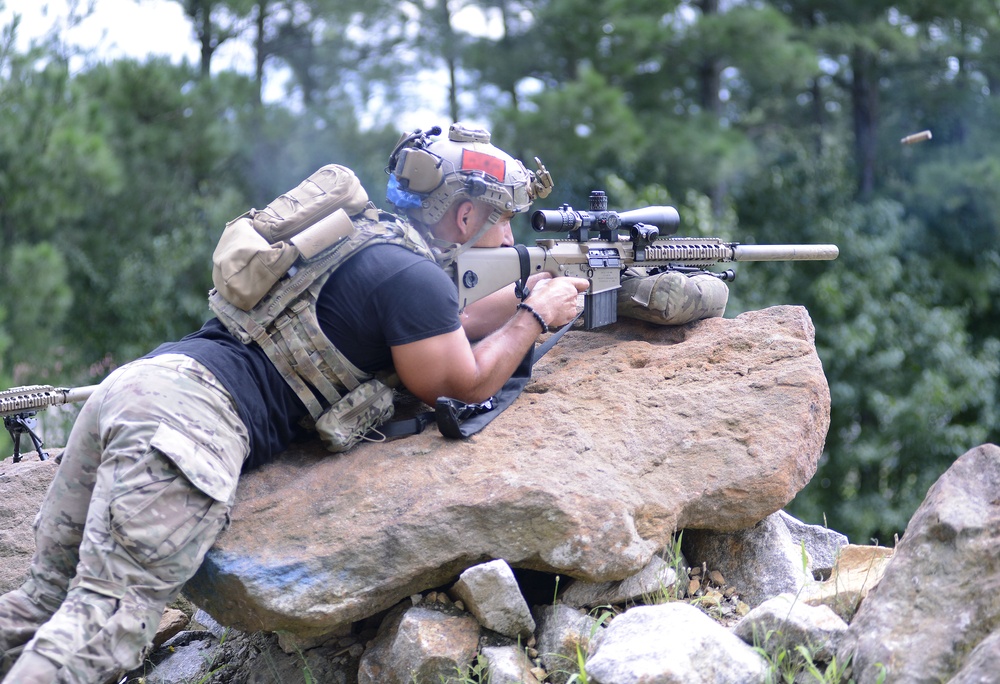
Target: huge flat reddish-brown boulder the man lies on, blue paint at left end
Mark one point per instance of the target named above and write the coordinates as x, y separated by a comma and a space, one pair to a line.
625, 435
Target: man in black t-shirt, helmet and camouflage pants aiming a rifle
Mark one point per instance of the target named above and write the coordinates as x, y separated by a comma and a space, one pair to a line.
149, 473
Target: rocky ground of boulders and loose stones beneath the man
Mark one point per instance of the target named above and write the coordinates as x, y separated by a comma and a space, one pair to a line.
348, 568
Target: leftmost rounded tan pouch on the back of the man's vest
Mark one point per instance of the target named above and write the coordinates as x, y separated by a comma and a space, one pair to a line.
245, 266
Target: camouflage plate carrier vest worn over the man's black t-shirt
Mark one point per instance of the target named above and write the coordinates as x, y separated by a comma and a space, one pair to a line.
343, 401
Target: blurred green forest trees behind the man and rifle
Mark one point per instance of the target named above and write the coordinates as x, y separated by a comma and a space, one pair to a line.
763, 121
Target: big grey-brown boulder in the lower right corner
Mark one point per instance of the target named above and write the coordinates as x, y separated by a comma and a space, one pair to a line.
939, 599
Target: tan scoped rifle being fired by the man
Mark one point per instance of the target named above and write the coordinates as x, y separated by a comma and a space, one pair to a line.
596, 250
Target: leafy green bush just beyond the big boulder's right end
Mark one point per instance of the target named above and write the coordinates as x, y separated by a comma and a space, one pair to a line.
911, 390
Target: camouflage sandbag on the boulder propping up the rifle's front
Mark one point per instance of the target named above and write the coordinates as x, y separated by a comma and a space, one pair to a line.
672, 298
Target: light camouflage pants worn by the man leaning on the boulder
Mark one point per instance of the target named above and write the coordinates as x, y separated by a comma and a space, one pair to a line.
144, 487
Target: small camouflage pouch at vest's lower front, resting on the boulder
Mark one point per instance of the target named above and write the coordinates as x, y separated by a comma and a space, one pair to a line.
348, 421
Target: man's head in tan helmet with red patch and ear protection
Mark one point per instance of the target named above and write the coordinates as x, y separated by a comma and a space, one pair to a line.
433, 181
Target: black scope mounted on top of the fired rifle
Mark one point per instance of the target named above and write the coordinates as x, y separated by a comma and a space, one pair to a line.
600, 219
